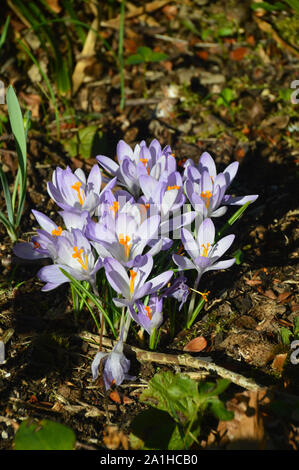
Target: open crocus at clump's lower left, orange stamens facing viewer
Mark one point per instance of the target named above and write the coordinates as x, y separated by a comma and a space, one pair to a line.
74, 255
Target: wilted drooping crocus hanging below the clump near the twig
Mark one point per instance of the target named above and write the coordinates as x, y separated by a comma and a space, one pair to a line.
115, 366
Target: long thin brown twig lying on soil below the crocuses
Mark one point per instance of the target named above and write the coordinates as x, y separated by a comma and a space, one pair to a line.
180, 360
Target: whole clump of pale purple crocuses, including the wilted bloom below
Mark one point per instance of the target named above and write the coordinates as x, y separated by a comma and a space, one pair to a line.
139, 226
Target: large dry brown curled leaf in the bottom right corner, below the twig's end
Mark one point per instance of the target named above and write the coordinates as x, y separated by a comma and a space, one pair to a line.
246, 429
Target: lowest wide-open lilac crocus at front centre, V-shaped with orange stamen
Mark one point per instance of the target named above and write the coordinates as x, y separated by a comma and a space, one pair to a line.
134, 285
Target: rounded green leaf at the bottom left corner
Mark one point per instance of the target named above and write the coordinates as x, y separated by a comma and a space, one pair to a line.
44, 435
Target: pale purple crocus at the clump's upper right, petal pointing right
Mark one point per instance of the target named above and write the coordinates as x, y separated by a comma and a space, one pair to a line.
206, 189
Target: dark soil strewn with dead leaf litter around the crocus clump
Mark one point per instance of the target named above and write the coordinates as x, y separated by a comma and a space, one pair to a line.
47, 369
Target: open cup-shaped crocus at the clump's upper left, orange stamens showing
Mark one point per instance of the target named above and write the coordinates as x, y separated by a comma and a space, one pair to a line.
71, 191
